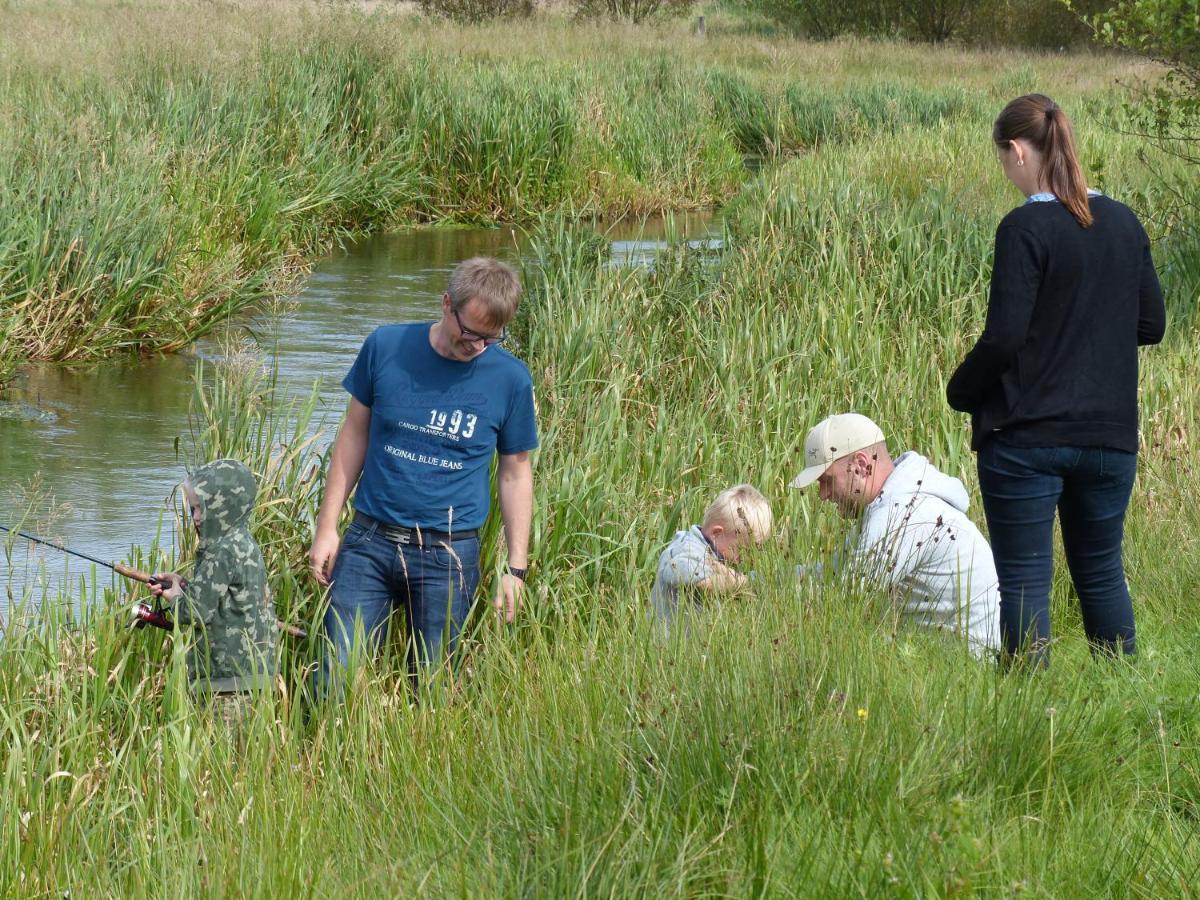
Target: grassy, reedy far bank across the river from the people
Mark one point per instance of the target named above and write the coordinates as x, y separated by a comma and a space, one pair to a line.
161, 169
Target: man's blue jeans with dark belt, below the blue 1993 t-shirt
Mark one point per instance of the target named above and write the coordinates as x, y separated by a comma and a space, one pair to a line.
434, 584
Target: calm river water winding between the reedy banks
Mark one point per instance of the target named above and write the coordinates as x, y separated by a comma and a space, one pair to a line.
89, 457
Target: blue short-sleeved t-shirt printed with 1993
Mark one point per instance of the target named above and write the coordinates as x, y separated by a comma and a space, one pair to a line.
435, 425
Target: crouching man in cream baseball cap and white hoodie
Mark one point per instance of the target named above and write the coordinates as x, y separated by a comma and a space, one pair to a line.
914, 538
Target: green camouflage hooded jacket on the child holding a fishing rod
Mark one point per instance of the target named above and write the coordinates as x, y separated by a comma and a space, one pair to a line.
236, 639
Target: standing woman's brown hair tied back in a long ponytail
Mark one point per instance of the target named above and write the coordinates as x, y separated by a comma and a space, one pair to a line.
1045, 125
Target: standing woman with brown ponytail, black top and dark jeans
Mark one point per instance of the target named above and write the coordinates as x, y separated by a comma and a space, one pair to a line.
1052, 385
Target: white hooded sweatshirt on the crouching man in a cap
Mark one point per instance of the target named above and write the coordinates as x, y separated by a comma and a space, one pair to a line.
916, 539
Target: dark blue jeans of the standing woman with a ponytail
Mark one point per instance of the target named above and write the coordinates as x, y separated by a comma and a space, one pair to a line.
1090, 487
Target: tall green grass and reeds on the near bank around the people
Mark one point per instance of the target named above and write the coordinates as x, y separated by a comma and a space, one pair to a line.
800, 741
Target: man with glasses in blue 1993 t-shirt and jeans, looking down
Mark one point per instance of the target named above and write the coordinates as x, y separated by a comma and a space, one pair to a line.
430, 406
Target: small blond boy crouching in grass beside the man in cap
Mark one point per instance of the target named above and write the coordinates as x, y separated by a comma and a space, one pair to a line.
698, 565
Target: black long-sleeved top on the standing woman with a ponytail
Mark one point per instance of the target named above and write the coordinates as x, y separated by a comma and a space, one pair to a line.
1058, 362
